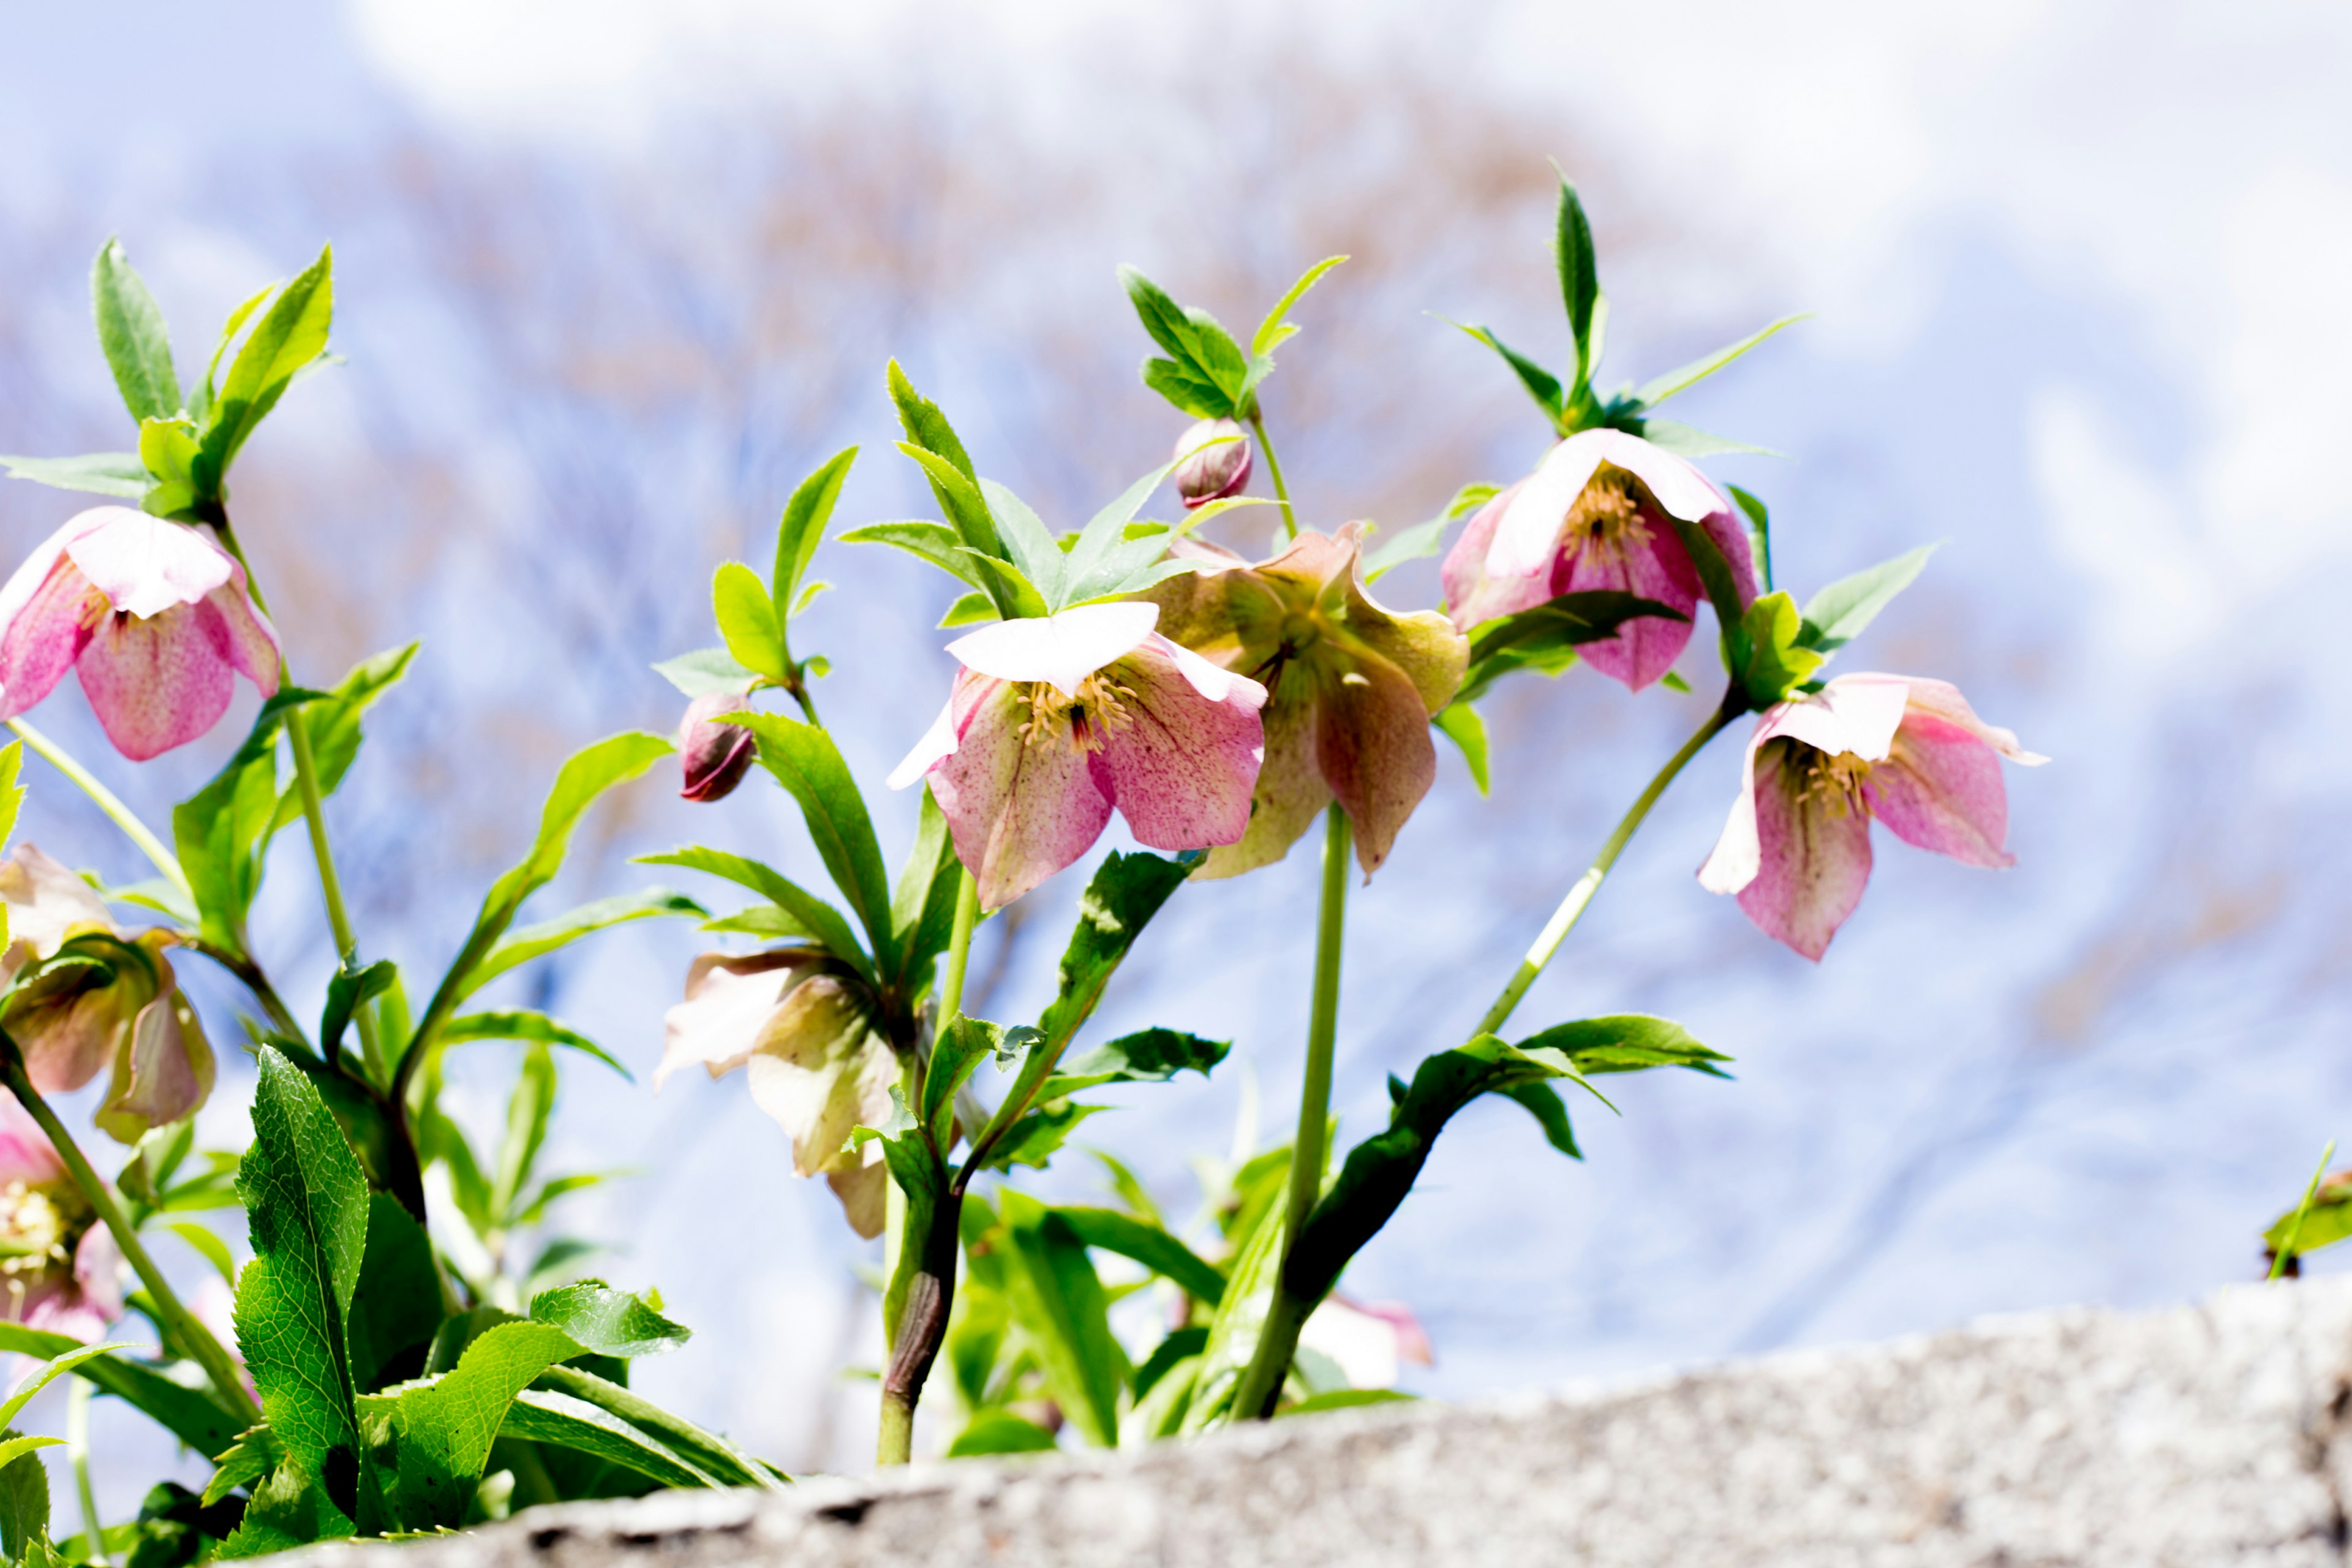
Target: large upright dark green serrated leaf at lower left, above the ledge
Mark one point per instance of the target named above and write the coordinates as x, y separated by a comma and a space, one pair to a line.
309, 1209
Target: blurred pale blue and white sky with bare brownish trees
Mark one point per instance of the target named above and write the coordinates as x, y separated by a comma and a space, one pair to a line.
610, 279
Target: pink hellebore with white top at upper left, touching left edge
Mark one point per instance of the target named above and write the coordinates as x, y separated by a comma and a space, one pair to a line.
149, 612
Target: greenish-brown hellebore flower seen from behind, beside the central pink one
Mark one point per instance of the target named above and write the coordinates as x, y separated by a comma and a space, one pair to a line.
1351, 688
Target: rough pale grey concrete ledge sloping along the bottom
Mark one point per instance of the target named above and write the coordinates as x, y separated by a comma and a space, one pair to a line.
2200, 1435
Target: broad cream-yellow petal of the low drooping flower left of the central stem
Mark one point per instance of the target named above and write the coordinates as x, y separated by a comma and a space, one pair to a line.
822, 1071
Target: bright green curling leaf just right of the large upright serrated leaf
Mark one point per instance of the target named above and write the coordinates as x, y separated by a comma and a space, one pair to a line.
446, 1426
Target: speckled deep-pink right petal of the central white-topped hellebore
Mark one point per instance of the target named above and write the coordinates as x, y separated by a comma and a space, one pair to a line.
1184, 765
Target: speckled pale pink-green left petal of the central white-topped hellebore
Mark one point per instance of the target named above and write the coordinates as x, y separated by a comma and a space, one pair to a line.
1017, 810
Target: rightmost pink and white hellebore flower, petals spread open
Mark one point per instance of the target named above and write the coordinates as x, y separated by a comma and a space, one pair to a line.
1909, 753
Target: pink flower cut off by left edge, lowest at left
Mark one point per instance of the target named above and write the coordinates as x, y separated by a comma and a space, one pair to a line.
58, 1264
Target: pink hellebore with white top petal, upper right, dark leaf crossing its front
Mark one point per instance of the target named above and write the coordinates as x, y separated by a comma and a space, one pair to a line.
1598, 514
